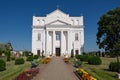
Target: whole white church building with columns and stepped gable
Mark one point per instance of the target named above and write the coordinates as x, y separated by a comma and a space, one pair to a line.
57, 34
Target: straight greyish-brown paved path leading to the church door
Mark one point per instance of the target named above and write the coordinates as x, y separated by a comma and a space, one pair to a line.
57, 70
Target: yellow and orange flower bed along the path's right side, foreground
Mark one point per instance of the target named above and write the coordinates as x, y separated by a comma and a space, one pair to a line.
83, 75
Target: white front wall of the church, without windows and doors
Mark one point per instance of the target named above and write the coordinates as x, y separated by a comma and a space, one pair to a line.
58, 21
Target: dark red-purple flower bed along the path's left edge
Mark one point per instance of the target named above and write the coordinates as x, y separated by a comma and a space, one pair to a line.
28, 74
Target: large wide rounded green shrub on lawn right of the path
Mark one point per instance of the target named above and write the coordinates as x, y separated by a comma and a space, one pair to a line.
94, 60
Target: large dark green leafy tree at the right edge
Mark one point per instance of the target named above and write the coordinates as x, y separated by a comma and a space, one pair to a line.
108, 35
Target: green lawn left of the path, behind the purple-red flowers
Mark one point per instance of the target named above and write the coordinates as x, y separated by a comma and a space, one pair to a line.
13, 70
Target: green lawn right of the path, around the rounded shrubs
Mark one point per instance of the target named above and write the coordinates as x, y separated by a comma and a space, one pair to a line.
101, 72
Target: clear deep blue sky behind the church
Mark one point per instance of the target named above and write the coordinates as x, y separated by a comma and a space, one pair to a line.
16, 18
